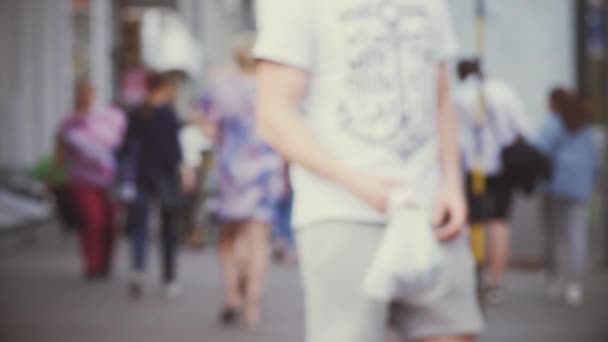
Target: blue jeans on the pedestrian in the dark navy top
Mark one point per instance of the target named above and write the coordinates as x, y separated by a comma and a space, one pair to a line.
139, 231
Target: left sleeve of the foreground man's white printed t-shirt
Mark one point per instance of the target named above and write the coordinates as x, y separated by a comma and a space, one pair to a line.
284, 32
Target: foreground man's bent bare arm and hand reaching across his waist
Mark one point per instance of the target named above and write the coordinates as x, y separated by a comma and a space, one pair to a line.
280, 92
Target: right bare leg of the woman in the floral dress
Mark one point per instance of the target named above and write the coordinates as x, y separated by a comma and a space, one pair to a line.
257, 237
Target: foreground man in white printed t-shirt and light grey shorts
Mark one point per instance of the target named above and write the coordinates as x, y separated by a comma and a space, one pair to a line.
355, 94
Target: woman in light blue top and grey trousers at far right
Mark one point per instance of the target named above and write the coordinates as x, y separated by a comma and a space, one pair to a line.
567, 139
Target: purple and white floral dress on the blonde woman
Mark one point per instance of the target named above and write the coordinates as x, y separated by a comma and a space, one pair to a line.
250, 173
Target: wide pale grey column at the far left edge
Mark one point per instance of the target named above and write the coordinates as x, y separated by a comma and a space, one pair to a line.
36, 77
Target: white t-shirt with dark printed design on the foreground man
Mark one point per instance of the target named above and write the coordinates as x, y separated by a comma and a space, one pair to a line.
371, 101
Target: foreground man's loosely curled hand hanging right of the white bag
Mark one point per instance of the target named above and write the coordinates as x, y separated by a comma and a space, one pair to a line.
450, 213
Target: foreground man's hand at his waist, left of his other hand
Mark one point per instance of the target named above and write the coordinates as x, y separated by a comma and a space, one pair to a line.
375, 191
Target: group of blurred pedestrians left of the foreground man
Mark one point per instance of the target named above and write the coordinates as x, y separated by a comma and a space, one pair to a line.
139, 169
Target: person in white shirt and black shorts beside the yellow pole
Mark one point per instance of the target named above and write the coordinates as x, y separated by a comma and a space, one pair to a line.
482, 141
